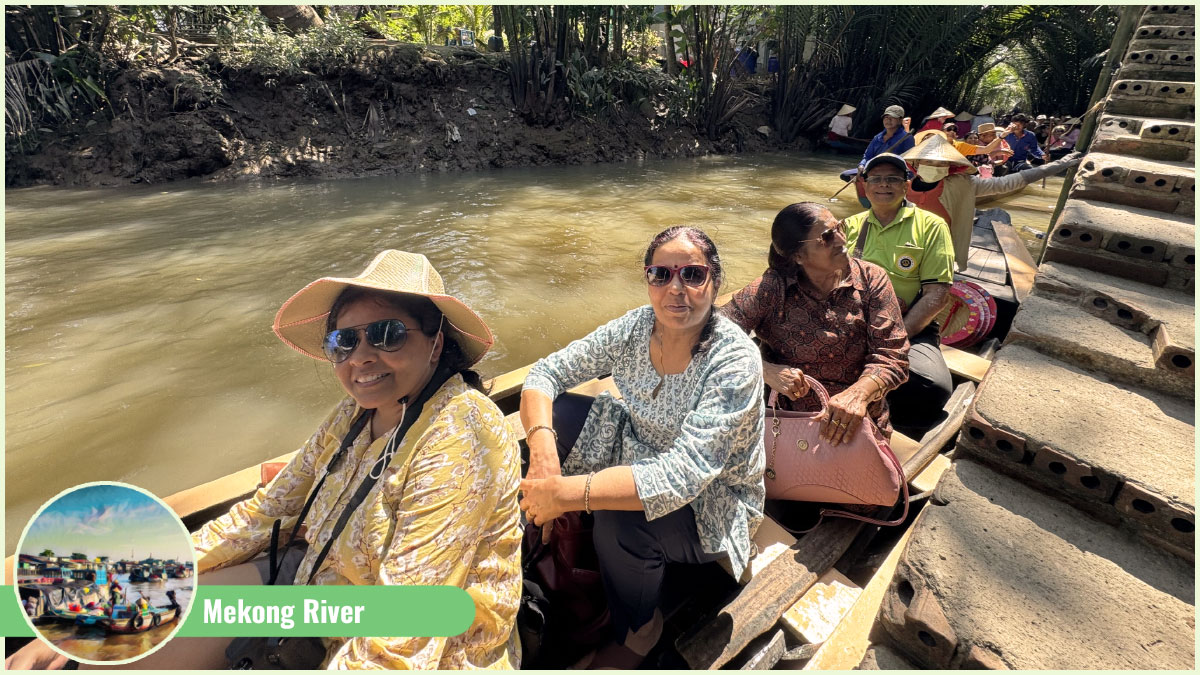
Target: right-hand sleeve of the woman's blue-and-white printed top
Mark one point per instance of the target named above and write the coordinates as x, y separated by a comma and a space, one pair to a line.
729, 416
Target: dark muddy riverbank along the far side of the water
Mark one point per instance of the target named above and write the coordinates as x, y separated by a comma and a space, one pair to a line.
399, 110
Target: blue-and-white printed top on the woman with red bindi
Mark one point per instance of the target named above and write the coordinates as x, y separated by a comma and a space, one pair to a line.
700, 443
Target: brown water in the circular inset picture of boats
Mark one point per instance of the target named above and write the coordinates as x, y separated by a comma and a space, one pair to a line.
94, 644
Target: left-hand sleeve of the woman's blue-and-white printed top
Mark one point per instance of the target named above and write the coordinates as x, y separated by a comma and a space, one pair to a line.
589, 357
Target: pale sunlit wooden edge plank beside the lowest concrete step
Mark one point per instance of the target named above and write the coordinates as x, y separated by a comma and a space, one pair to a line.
845, 648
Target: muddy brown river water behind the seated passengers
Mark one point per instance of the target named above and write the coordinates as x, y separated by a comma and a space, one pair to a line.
139, 343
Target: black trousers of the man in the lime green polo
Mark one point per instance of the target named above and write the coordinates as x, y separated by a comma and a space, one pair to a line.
917, 404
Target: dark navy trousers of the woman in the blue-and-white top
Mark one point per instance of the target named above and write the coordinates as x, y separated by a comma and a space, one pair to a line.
633, 552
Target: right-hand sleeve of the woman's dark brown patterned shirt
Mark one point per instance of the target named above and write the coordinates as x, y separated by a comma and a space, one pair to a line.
887, 339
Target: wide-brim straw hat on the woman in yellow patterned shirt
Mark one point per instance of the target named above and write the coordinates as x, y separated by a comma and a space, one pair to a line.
301, 322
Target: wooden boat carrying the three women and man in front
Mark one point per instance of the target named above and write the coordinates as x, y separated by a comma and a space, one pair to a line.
751, 624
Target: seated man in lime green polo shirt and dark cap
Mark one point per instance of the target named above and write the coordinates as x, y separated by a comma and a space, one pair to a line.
916, 250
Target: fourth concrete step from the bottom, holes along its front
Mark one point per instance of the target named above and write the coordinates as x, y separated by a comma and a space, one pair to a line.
1149, 247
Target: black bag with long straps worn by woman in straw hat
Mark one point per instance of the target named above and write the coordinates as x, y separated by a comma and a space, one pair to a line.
308, 654
